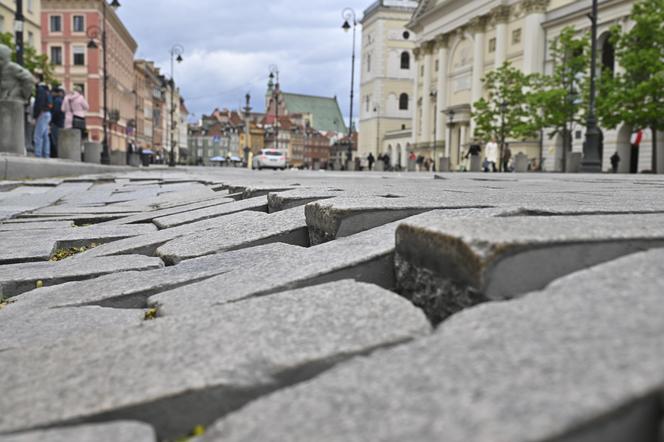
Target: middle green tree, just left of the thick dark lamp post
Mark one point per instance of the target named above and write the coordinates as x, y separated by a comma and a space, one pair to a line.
561, 99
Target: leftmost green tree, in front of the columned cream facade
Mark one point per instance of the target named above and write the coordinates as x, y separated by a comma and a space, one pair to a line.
505, 113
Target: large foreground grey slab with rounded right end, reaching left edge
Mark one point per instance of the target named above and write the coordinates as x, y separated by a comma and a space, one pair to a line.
294, 336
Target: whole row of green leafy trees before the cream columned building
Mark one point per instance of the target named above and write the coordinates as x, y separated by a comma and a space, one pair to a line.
520, 106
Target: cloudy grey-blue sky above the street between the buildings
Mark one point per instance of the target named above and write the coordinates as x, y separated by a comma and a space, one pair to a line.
230, 44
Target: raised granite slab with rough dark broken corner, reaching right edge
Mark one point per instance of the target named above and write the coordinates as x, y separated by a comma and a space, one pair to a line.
445, 265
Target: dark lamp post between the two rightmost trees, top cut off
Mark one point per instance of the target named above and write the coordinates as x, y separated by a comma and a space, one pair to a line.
593, 144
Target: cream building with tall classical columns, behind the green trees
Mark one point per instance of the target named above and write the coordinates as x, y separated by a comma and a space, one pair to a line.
459, 41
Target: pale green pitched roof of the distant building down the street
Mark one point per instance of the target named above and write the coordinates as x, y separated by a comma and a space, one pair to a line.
326, 115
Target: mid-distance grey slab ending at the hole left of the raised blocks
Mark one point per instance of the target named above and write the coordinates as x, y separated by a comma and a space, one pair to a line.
240, 230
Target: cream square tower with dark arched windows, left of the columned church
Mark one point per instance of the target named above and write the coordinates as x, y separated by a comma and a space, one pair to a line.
386, 78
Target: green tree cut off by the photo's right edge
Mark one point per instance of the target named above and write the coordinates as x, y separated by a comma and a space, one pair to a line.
635, 94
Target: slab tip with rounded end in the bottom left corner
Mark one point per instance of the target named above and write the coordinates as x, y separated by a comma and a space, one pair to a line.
125, 431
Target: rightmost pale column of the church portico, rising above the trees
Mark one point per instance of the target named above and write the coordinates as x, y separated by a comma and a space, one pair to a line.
533, 35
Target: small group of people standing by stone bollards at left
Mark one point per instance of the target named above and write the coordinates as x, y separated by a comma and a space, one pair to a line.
50, 111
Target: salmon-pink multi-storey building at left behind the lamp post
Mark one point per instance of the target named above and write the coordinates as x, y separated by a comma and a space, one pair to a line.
65, 41
